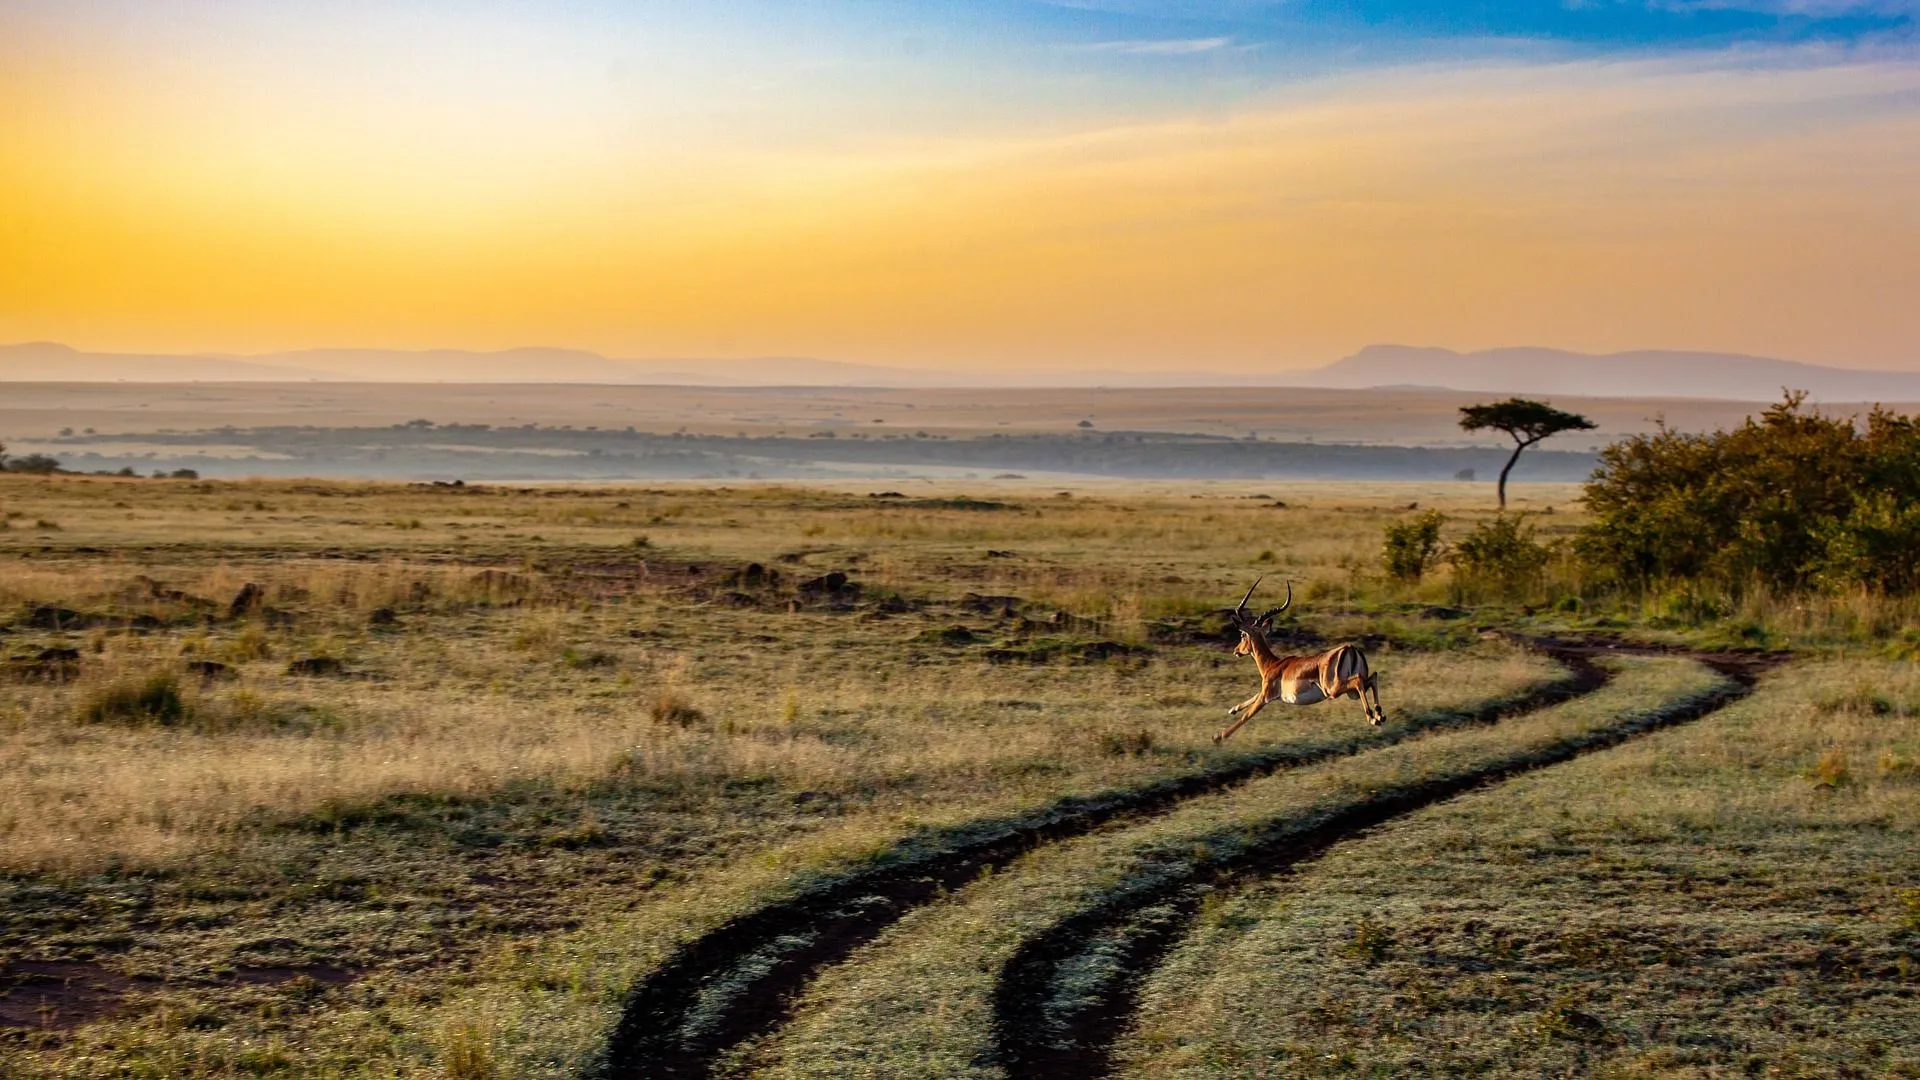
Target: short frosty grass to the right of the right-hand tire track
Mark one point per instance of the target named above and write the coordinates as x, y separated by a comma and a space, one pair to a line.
1727, 898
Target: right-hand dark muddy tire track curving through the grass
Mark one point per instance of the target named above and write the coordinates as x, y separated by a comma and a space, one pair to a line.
1147, 921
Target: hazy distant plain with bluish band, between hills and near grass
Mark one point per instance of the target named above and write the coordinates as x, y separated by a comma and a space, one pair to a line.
552, 433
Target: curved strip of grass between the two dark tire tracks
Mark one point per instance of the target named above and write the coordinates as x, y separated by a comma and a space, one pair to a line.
857, 1023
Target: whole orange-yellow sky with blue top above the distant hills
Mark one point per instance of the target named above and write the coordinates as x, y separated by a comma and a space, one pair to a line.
1141, 185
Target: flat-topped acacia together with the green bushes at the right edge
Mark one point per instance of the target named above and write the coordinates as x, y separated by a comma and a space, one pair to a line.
1790, 501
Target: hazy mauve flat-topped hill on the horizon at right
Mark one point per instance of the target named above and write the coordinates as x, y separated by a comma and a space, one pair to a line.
1648, 374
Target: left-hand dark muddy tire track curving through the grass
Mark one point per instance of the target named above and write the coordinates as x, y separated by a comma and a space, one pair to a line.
736, 983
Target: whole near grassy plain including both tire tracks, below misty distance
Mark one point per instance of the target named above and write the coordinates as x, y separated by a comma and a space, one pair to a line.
329, 779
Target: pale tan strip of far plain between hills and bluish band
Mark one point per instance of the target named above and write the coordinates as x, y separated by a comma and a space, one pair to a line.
1424, 418
